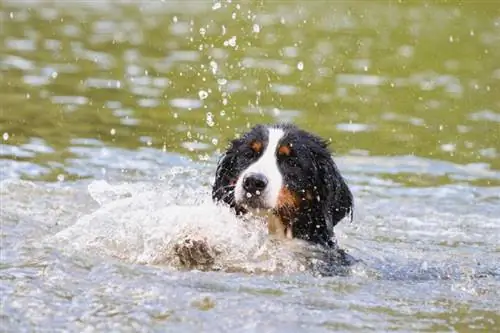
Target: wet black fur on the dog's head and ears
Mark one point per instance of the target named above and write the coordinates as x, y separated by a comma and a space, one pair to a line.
309, 171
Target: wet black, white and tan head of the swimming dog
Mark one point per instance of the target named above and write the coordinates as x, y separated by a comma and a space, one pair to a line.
287, 173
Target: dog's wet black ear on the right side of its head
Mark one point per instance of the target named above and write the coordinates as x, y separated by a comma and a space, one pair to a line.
336, 197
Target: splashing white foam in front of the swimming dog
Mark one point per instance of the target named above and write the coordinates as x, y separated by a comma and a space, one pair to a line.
140, 223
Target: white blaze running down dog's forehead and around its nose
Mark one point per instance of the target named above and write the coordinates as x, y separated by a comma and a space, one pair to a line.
266, 165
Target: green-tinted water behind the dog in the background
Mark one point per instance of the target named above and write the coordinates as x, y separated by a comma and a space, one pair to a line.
418, 78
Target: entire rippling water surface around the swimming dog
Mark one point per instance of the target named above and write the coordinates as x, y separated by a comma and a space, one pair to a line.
112, 118
